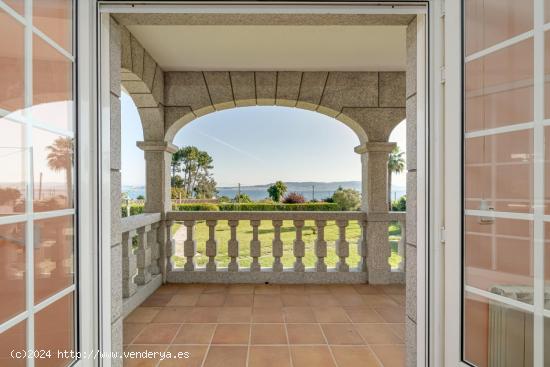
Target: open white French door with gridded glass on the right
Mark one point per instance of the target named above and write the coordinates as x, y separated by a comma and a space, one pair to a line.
498, 214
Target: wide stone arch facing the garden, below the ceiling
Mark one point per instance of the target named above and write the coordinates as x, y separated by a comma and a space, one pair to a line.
370, 103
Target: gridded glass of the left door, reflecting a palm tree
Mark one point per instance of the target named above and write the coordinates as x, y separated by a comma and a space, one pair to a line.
37, 175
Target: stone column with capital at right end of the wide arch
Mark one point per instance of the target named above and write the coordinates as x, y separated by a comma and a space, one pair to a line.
374, 157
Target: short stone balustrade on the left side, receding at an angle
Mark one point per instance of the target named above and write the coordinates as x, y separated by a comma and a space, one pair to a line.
142, 265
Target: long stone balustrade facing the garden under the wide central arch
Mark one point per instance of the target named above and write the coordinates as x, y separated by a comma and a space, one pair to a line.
343, 272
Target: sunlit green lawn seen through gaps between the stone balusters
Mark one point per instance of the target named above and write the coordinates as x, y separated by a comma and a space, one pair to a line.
288, 233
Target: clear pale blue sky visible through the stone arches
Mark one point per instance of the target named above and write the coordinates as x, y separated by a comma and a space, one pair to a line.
259, 145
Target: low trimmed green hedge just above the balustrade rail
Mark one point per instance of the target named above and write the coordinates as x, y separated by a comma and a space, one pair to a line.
233, 207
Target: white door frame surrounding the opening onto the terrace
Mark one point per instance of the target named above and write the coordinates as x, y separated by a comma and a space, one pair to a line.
429, 48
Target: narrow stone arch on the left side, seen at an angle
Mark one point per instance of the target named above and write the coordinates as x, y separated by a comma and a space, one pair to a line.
143, 79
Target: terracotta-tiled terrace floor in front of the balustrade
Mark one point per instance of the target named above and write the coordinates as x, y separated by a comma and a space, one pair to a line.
270, 325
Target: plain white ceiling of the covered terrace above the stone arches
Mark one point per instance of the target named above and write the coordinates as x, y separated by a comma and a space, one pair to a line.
275, 47
